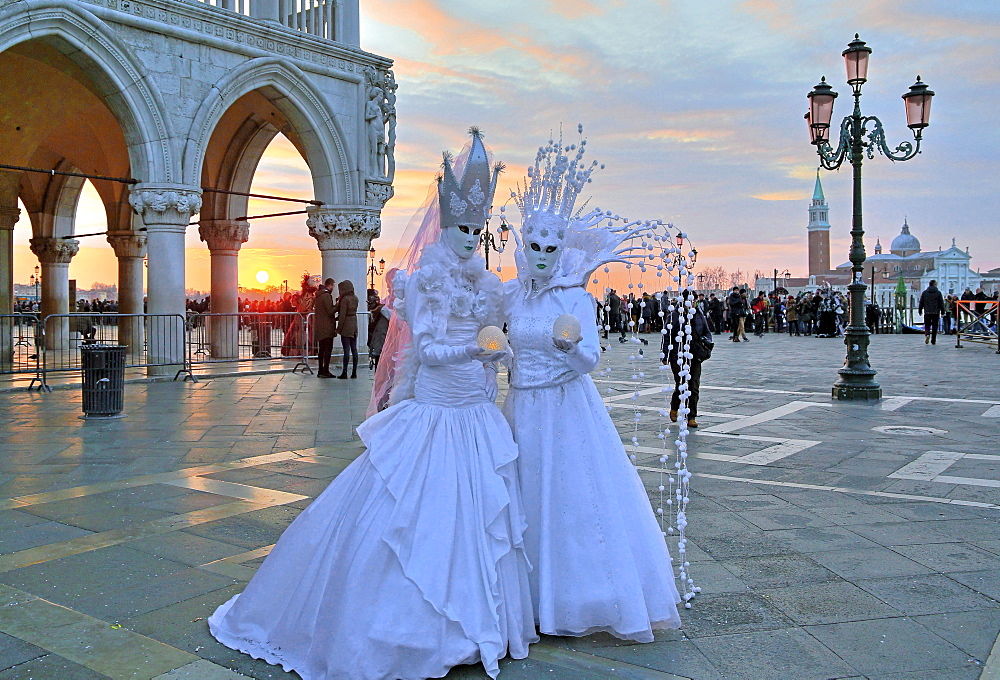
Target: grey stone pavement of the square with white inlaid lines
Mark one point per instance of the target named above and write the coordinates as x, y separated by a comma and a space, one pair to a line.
829, 539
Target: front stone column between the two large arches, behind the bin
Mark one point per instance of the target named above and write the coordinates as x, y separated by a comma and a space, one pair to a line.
165, 209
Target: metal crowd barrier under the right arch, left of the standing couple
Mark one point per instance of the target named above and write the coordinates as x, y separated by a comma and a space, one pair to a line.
248, 336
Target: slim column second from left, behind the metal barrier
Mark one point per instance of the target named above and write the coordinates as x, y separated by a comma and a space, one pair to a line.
54, 255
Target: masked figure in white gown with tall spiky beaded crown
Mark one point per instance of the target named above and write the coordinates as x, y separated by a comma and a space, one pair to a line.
600, 559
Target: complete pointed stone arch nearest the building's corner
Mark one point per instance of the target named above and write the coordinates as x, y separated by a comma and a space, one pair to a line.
290, 91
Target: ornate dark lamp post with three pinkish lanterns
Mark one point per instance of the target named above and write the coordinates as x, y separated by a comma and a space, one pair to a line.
860, 135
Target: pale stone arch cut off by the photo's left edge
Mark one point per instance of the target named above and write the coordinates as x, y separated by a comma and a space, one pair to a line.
91, 44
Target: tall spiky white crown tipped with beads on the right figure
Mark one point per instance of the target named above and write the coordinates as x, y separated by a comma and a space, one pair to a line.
551, 189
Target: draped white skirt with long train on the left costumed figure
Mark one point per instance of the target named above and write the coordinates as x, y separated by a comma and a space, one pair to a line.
409, 563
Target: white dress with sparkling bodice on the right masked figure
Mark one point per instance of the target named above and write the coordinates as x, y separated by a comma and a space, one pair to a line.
600, 561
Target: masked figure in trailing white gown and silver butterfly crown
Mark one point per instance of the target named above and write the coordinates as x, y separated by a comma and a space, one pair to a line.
411, 561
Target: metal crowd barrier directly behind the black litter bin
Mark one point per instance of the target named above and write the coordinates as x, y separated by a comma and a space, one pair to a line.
150, 339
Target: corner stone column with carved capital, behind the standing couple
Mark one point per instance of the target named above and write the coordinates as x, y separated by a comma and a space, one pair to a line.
344, 235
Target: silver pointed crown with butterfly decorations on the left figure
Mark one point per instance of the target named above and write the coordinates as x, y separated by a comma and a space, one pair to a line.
468, 202
